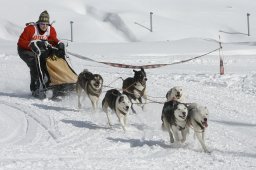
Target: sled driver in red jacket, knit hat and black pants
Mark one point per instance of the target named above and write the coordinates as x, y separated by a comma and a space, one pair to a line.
30, 44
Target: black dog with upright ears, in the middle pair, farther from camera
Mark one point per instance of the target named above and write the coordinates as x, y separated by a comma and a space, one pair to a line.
135, 87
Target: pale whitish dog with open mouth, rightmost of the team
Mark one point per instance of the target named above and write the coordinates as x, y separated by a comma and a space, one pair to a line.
198, 120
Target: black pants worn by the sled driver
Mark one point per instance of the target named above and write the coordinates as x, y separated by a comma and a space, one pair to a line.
31, 60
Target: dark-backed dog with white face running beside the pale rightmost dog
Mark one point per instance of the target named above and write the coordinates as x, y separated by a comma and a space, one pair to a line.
174, 118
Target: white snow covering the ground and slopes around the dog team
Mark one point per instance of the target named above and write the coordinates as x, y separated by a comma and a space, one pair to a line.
44, 134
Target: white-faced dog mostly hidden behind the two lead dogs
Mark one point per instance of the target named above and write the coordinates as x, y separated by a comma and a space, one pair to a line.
176, 93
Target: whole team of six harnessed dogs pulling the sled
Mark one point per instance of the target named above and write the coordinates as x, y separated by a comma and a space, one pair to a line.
177, 117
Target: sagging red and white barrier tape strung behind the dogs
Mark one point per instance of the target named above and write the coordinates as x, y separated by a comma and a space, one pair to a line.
138, 67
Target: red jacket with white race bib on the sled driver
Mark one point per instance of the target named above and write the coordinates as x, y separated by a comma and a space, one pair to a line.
31, 32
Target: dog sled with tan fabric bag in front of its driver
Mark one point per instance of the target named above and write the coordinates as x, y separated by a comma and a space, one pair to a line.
56, 77
